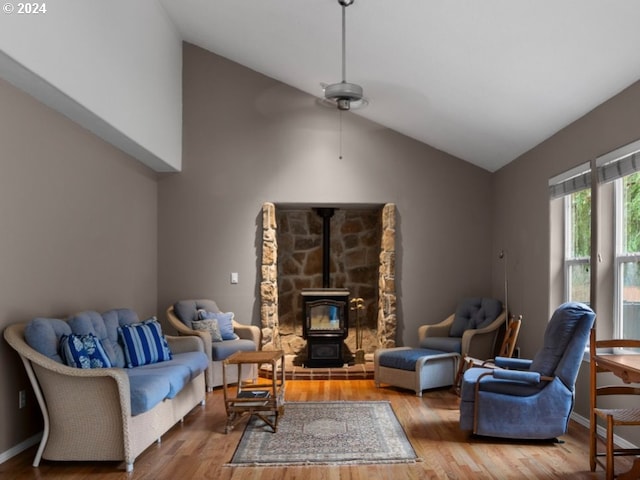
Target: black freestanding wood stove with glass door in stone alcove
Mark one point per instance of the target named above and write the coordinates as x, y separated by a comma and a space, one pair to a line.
325, 325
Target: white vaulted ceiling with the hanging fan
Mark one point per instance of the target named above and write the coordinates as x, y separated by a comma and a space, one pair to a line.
484, 80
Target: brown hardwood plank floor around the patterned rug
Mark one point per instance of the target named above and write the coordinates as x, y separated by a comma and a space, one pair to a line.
199, 448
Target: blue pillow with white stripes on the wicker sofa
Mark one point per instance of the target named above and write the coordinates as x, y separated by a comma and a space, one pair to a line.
144, 343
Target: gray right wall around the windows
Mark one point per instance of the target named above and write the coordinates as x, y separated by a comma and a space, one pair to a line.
521, 216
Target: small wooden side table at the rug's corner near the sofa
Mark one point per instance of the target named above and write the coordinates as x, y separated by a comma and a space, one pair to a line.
264, 399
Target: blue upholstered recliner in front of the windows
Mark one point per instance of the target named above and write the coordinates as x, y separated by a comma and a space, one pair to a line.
530, 399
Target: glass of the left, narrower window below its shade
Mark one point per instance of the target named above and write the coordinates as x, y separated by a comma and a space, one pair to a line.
577, 276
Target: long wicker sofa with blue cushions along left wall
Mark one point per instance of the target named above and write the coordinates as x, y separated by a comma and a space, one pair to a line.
105, 414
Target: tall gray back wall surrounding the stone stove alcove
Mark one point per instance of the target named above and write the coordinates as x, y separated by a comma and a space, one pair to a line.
249, 139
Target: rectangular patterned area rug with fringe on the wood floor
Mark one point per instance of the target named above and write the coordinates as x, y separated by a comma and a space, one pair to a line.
313, 433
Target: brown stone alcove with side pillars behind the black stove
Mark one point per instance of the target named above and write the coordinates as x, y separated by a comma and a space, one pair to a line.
362, 260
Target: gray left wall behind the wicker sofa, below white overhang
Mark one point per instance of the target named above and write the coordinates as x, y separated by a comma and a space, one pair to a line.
78, 231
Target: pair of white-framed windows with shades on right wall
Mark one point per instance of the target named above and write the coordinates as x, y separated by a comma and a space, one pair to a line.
572, 271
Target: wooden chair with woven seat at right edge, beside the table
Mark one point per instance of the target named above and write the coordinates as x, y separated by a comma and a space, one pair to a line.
610, 416
